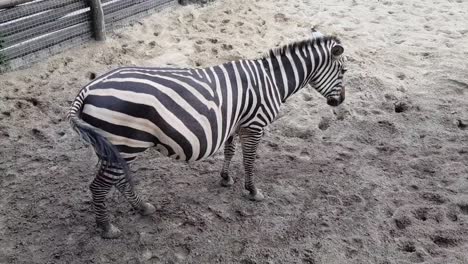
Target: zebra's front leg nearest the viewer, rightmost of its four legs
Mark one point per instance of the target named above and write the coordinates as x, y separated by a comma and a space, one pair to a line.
249, 140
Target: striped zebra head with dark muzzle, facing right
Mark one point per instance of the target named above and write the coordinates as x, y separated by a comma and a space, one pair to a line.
328, 76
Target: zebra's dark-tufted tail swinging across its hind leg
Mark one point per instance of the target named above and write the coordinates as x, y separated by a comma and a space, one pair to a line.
107, 153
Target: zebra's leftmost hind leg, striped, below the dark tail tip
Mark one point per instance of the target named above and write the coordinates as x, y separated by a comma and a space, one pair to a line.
100, 187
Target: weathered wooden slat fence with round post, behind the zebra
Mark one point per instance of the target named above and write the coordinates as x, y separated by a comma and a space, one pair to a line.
33, 29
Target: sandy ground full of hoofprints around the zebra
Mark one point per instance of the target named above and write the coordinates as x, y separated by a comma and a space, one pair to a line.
382, 179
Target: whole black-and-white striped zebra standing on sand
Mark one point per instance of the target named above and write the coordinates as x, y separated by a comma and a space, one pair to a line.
191, 113
